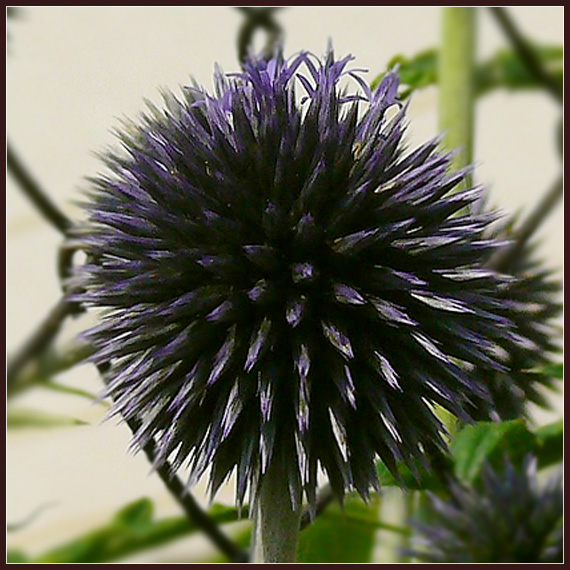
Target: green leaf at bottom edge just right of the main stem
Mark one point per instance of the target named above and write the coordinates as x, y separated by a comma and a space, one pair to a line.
341, 536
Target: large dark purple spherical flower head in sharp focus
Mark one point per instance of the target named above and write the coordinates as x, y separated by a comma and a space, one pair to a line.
284, 282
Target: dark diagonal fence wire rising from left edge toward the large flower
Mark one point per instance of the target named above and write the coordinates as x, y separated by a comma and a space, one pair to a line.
39, 340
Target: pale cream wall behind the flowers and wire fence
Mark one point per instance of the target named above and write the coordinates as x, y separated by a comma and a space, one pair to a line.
72, 73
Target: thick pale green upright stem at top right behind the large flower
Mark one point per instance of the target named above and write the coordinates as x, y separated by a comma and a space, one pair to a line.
456, 83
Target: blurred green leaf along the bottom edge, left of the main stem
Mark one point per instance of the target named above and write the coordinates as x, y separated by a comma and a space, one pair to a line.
132, 529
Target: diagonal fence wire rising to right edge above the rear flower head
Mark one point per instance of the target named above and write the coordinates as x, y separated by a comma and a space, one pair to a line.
502, 259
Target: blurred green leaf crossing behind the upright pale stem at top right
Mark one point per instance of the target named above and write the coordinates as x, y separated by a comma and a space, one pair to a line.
503, 70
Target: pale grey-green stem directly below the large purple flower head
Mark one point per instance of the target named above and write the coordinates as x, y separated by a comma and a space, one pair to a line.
276, 522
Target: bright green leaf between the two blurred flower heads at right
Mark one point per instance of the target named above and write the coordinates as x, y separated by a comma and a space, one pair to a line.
489, 442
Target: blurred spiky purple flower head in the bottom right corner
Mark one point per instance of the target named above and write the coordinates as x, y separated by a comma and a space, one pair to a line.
511, 518
